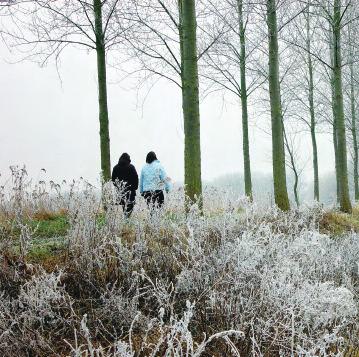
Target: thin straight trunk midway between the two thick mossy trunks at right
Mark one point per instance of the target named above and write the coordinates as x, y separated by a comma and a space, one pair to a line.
311, 109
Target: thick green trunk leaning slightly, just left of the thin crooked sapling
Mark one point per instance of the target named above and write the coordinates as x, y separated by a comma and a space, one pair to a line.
279, 174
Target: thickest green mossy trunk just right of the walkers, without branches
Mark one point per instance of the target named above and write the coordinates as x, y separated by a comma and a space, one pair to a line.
190, 100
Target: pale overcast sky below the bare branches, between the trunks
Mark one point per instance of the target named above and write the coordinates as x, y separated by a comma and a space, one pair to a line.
53, 124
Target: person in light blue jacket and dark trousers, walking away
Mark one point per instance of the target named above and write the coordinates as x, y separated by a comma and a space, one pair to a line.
153, 181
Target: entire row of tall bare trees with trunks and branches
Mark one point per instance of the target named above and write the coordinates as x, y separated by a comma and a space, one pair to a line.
299, 58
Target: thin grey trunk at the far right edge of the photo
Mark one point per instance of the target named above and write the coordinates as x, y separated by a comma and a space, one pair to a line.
353, 119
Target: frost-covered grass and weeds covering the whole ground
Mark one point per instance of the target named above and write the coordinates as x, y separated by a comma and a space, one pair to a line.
240, 280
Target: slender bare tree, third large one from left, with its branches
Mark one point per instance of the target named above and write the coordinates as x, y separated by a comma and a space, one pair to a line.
230, 64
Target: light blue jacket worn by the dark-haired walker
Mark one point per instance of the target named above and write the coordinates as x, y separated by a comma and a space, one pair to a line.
153, 178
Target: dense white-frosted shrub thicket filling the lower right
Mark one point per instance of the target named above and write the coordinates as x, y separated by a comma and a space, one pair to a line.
283, 289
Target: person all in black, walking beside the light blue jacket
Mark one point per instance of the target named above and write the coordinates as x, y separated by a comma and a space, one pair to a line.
125, 179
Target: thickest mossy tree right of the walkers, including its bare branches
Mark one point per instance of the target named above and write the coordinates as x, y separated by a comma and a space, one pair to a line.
163, 43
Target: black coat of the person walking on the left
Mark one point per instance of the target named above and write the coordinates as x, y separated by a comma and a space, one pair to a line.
125, 175
